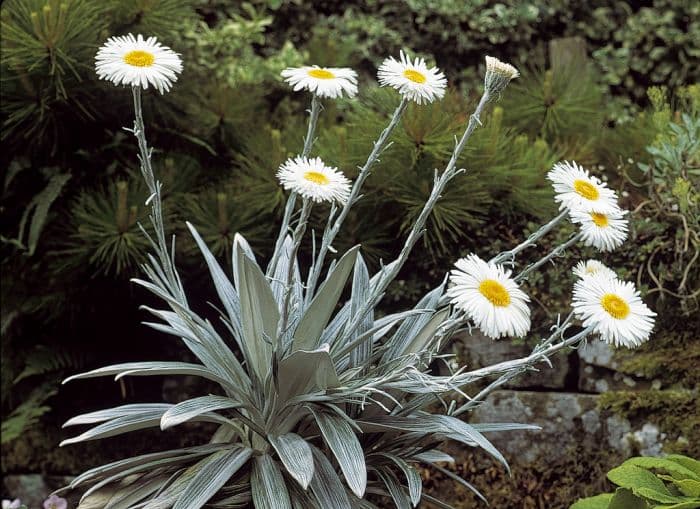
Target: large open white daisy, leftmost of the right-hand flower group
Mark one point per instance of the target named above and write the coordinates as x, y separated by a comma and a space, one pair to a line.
491, 299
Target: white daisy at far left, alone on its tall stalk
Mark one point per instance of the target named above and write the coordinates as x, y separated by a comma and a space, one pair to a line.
133, 61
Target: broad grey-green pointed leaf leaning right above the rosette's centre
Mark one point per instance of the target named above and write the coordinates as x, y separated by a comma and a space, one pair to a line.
321, 308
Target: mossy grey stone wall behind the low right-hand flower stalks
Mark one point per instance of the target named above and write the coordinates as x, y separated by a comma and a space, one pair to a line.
564, 399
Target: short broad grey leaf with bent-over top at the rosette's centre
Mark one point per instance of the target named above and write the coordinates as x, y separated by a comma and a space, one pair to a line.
304, 372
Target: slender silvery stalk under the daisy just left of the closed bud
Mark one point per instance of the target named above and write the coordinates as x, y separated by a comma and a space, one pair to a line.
330, 232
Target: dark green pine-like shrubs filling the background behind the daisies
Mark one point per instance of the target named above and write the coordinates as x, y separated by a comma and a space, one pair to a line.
72, 197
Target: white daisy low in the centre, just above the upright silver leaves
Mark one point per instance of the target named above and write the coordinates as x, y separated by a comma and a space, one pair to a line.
314, 180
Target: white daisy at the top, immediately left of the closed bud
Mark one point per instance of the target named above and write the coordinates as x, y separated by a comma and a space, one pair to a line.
413, 79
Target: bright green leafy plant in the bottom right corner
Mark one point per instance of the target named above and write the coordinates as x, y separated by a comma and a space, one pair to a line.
671, 482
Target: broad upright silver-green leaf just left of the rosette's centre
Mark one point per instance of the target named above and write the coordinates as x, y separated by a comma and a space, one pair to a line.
259, 314
